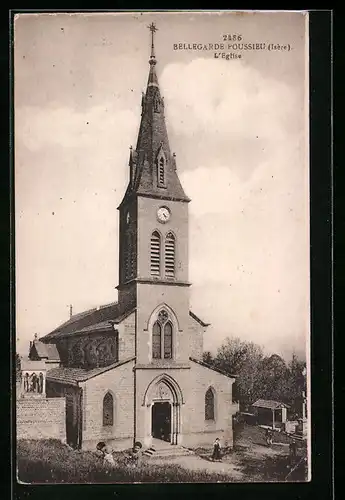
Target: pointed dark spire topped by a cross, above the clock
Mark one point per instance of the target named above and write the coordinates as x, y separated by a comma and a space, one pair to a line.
152, 165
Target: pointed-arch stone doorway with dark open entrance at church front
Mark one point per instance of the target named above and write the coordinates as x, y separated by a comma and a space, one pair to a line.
163, 400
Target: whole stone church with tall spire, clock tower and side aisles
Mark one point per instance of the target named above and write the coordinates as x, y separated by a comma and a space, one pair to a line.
133, 370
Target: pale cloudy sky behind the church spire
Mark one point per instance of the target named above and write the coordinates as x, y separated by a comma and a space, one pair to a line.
239, 130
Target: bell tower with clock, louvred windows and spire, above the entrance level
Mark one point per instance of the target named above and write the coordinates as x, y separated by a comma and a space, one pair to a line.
153, 261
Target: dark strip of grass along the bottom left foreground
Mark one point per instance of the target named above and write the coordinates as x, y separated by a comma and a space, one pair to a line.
50, 461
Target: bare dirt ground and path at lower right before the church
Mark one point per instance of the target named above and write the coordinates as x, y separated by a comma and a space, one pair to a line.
250, 460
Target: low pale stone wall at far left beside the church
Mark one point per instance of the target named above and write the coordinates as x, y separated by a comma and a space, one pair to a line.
41, 418
